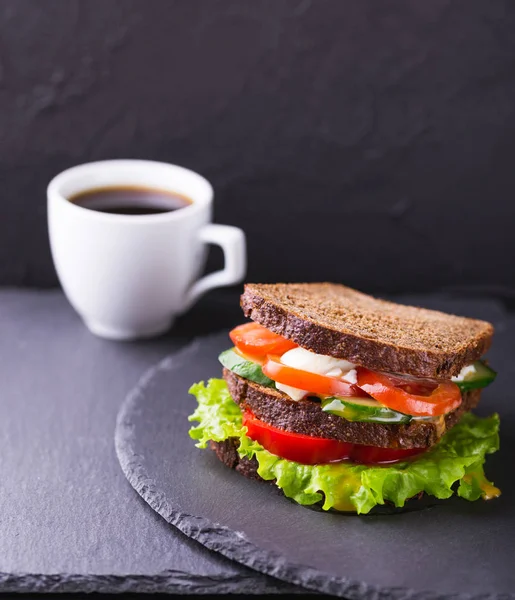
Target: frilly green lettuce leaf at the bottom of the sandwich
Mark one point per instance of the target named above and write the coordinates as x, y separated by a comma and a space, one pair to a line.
453, 465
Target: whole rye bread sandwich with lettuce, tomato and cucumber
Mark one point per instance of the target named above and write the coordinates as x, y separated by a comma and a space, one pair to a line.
346, 402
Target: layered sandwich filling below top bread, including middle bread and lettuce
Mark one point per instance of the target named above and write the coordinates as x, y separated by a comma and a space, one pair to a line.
327, 465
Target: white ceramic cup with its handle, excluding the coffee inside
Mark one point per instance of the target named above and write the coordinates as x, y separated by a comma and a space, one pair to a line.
129, 276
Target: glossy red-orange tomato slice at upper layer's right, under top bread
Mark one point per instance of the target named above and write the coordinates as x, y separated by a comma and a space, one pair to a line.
409, 396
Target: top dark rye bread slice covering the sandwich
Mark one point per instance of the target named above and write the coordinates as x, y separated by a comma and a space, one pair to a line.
335, 320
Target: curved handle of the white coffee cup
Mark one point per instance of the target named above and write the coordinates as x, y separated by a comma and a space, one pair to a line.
232, 241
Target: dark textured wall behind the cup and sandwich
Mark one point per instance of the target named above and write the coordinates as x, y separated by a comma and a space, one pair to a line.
365, 141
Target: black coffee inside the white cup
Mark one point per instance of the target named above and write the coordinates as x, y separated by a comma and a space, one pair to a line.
130, 200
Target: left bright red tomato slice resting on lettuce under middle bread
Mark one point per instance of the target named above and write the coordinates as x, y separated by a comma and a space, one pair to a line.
300, 448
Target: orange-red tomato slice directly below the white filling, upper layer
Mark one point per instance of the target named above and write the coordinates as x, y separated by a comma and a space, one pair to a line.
312, 382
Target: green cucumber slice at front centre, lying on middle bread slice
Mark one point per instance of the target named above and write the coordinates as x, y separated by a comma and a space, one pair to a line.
363, 410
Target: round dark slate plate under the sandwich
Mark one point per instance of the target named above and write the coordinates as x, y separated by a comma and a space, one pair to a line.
457, 548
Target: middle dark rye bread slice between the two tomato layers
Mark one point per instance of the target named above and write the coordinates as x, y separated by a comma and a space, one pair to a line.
307, 417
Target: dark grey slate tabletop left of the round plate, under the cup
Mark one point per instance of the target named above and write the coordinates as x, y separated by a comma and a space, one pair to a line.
69, 520
